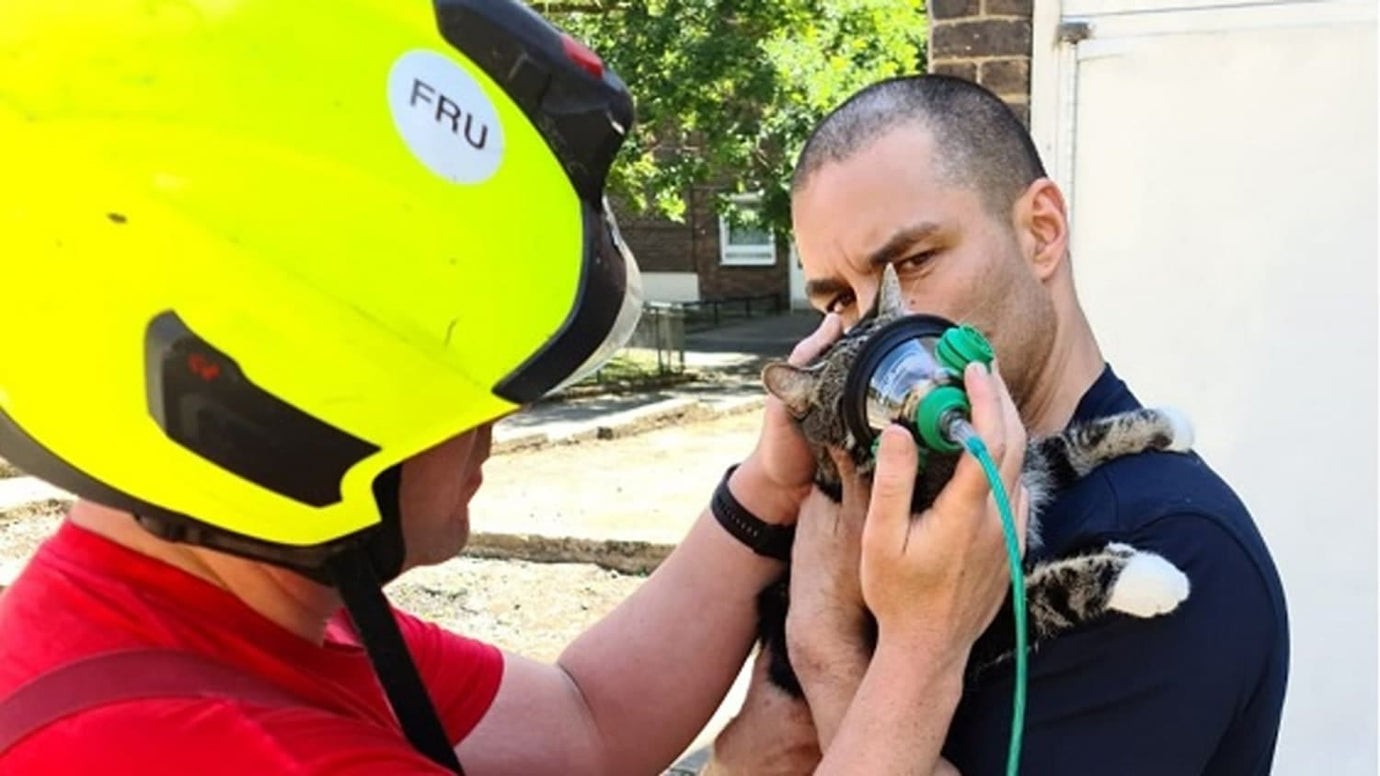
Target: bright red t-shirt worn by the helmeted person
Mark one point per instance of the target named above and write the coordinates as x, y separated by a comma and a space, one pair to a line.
85, 594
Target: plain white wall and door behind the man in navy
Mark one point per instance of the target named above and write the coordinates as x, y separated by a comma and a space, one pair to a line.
1222, 166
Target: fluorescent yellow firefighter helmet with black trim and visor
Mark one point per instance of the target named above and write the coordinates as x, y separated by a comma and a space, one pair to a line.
256, 253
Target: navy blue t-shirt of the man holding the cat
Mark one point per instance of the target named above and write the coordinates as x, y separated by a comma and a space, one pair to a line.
1197, 691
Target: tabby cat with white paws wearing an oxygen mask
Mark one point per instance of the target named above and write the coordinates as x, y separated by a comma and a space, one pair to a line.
1061, 593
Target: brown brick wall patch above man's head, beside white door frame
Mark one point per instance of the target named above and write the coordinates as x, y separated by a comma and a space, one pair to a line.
987, 42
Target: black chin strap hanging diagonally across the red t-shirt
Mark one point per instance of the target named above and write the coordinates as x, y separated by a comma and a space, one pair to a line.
364, 594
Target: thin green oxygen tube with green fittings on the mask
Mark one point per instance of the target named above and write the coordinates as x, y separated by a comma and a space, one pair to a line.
942, 420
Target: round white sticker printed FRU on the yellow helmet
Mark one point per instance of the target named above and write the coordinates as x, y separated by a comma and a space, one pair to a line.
445, 117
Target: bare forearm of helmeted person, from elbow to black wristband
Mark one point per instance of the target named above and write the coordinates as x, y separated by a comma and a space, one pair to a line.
655, 670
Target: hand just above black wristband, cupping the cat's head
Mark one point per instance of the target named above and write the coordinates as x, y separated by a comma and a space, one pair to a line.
776, 477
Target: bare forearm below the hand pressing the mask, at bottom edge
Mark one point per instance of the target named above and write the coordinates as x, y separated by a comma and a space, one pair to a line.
899, 717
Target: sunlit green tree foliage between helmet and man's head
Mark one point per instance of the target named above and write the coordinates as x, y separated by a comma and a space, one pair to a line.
728, 90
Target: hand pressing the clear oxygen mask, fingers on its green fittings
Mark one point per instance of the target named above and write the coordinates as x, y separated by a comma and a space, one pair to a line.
936, 582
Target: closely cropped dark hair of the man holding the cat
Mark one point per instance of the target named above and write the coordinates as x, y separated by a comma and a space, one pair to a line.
978, 139
